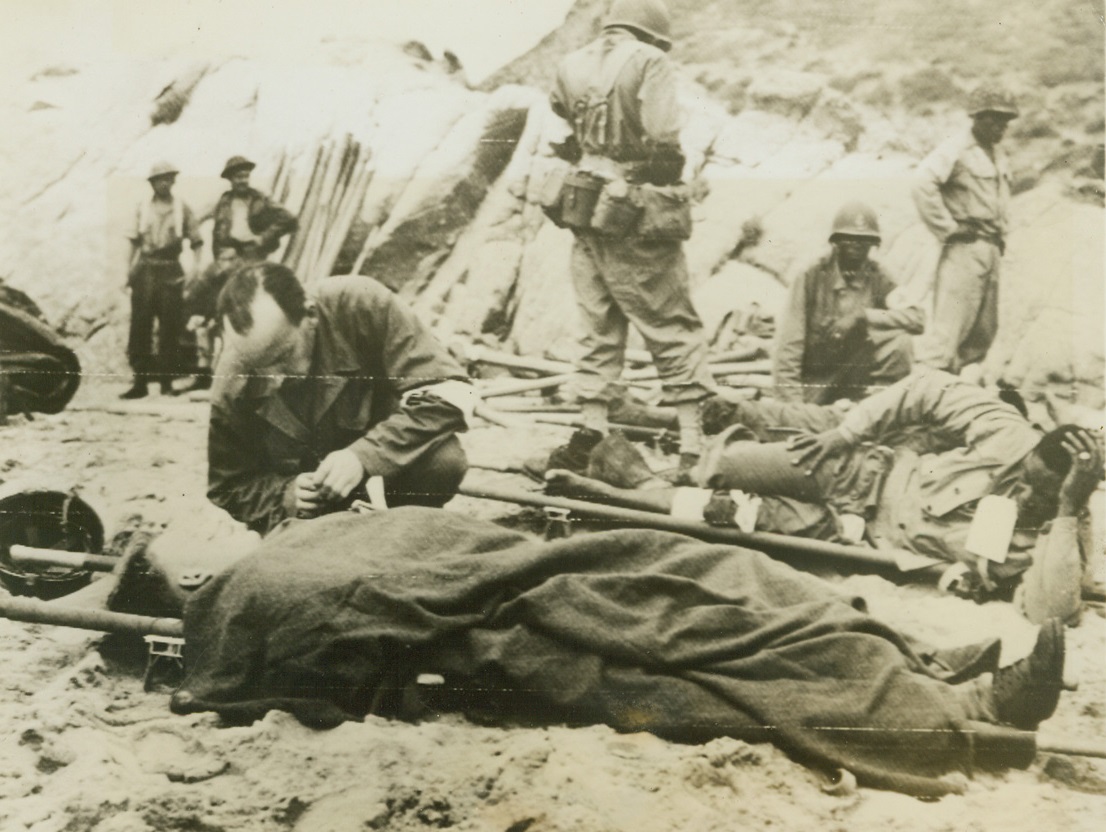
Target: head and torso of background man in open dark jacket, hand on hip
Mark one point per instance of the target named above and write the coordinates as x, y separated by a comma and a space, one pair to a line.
245, 219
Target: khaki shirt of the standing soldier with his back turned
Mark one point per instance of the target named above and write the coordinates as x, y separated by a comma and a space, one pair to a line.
642, 109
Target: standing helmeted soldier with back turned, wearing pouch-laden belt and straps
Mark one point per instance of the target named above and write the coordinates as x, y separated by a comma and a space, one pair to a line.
625, 203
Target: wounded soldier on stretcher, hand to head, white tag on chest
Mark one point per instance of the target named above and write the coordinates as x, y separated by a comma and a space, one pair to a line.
932, 465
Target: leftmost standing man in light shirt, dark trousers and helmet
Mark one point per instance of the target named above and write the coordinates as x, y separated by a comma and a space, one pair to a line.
163, 224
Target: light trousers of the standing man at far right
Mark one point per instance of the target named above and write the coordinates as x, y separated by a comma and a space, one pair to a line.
966, 307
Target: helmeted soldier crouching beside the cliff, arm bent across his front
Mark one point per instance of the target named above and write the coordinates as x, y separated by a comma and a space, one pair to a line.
839, 335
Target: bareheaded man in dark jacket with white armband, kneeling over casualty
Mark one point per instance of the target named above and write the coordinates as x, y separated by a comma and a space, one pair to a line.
321, 403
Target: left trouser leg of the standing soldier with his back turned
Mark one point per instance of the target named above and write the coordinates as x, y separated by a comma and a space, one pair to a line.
606, 327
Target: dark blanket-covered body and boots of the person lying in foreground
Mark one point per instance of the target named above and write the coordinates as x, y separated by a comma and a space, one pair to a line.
640, 630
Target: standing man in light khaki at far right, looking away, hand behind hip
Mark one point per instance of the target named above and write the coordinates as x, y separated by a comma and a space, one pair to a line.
964, 196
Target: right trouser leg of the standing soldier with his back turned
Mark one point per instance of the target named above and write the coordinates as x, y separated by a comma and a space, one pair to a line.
649, 280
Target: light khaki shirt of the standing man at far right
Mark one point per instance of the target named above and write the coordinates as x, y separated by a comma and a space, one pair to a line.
961, 185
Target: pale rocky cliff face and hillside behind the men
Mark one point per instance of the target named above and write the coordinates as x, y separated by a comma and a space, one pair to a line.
790, 113
